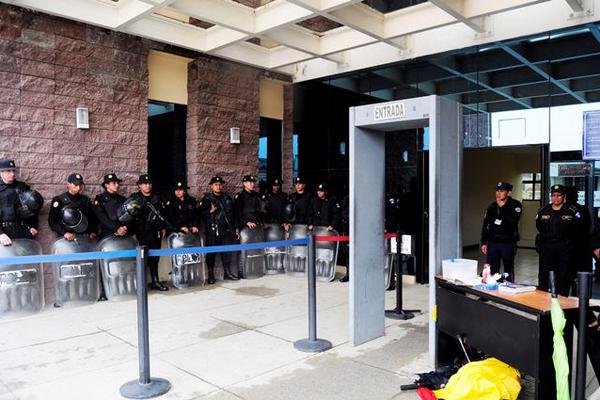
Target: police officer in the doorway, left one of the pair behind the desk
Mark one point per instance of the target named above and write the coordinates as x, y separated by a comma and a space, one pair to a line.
500, 230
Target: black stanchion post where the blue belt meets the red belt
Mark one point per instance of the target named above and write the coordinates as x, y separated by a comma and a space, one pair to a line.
312, 344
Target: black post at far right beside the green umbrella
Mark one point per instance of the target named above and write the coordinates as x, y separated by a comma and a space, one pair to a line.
584, 292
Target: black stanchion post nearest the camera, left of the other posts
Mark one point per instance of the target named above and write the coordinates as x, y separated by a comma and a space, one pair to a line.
145, 387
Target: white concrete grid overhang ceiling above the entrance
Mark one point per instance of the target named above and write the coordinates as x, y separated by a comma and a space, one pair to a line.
314, 38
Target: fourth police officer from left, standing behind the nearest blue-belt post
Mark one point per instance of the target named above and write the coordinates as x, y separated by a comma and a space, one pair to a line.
151, 225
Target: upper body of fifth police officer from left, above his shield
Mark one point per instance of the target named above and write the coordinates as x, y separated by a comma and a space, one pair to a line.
182, 210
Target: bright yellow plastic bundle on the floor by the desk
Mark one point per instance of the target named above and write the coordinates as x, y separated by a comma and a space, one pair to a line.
489, 379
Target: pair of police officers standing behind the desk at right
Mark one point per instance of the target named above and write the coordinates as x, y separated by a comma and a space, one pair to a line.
564, 242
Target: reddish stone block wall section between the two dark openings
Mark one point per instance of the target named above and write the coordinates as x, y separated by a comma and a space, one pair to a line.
221, 95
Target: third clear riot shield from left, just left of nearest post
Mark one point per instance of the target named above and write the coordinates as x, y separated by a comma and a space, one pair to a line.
118, 274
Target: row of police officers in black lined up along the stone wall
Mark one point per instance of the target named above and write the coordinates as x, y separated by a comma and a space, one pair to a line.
145, 215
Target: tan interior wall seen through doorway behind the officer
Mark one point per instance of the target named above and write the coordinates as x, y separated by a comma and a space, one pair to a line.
481, 170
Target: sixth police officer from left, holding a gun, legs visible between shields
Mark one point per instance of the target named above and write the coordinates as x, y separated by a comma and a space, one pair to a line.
216, 210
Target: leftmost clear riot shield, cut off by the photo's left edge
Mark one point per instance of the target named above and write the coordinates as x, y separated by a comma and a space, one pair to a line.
21, 286
